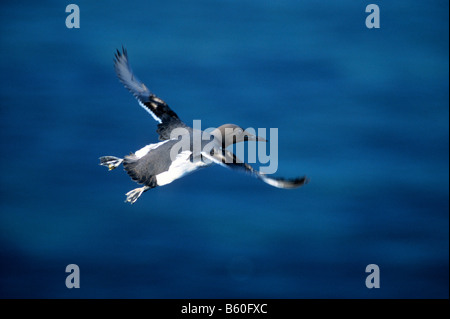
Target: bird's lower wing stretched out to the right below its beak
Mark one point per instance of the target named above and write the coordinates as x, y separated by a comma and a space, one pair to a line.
228, 159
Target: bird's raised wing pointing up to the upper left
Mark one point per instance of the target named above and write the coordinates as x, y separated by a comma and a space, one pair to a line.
157, 108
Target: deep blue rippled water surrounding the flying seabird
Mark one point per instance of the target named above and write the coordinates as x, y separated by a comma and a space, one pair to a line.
364, 113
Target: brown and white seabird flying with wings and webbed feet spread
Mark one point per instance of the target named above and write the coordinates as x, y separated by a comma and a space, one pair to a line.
176, 155
